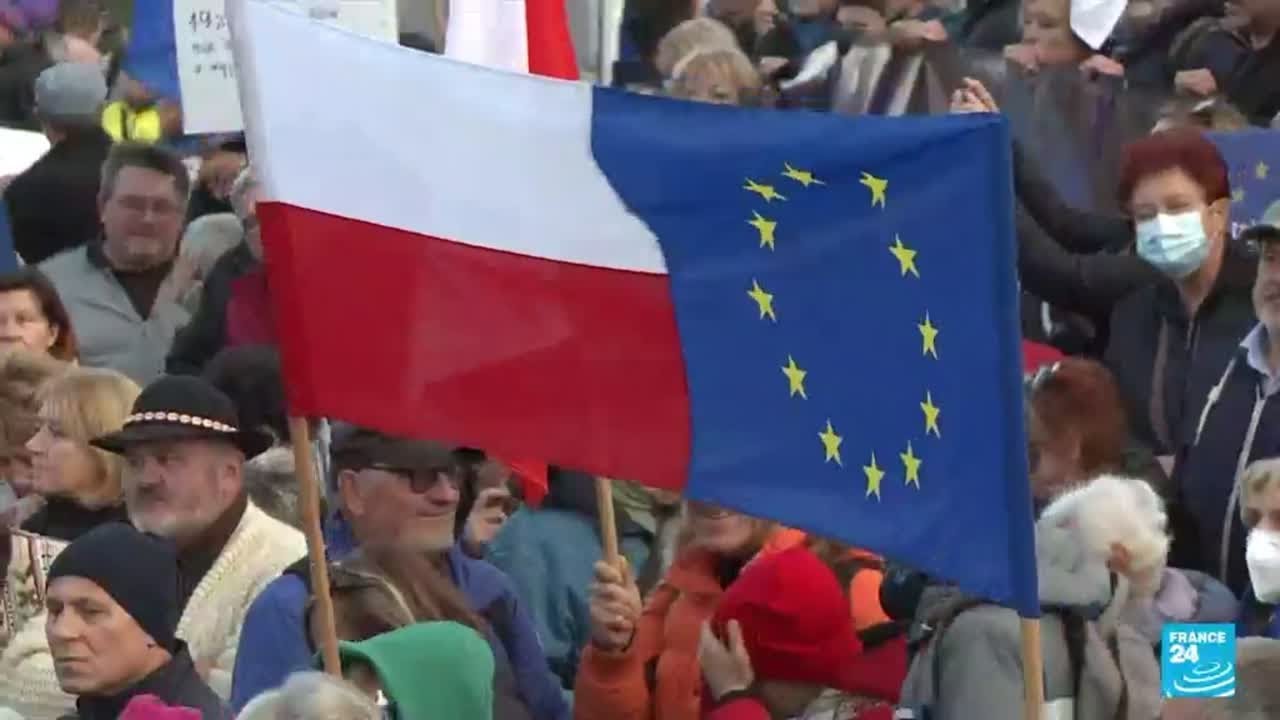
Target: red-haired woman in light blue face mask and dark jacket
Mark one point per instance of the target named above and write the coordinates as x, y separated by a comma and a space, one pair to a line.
1171, 341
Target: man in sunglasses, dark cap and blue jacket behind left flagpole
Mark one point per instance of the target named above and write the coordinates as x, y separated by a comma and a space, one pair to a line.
403, 494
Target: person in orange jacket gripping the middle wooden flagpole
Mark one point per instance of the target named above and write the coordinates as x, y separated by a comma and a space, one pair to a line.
643, 658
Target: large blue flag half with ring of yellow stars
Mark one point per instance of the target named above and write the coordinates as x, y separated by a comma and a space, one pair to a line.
845, 295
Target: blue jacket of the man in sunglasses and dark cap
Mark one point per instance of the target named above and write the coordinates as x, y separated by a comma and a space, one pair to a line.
275, 639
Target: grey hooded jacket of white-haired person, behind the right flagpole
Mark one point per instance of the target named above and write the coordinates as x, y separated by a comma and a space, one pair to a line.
972, 668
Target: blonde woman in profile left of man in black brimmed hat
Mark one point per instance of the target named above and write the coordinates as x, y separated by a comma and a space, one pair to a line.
80, 484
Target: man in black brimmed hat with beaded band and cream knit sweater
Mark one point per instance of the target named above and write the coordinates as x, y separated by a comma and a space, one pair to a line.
185, 482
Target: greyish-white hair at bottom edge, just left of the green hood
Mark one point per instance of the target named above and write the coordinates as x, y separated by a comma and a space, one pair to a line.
312, 696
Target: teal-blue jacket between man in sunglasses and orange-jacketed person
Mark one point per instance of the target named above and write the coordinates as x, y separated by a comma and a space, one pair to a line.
551, 554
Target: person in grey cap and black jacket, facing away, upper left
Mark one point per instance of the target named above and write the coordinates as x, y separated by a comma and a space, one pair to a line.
53, 206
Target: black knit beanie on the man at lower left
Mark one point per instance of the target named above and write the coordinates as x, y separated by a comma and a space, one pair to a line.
140, 572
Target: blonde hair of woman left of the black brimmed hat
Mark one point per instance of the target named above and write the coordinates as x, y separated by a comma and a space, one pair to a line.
88, 403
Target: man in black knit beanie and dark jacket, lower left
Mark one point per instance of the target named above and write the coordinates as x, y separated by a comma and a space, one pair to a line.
113, 612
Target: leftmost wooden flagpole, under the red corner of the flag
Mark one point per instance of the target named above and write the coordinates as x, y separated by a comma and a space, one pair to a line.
309, 495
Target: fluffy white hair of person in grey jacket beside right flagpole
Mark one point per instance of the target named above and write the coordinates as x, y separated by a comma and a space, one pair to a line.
1112, 511
